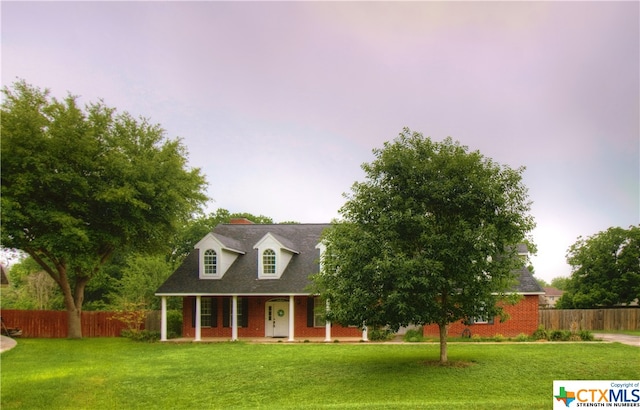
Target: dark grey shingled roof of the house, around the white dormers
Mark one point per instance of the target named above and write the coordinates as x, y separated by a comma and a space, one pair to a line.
242, 278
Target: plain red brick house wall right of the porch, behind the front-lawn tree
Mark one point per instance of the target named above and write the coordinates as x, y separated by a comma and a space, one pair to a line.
523, 318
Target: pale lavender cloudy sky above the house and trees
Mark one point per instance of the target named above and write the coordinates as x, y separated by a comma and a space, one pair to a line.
279, 103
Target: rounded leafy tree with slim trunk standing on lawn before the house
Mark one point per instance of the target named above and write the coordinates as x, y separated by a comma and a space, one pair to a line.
429, 237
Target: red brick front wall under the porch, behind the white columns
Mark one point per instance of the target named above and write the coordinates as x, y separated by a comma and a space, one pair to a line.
255, 326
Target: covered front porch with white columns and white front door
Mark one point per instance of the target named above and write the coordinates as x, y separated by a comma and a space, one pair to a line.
257, 317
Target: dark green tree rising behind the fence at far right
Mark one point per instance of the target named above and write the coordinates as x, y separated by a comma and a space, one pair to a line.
605, 269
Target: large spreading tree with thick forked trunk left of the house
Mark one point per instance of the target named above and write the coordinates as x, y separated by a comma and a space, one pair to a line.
79, 183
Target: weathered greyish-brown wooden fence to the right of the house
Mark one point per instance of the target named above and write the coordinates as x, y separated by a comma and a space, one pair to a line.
591, 319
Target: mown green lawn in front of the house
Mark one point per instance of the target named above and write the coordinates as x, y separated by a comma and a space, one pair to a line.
120, 374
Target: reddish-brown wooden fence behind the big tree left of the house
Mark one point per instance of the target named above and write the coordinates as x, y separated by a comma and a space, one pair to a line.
48, 323
